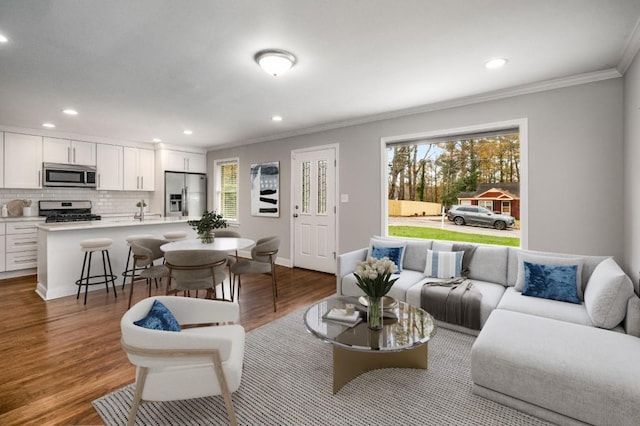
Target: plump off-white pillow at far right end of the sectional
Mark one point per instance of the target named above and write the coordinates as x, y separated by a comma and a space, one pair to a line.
607, 294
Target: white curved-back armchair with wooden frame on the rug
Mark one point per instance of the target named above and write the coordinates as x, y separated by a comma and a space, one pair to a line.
201, 360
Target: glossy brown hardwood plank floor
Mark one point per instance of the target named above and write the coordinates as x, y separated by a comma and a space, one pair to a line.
58, 356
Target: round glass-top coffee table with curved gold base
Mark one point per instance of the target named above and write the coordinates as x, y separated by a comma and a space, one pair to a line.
402, 342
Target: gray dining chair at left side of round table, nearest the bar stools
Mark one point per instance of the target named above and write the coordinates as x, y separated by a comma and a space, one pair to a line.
145, 252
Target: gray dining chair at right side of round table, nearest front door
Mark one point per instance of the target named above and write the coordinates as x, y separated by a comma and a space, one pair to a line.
263, 256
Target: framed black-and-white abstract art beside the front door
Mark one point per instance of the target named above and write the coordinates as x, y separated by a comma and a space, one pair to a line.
265, 189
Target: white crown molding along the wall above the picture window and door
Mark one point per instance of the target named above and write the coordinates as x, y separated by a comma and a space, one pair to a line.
526, 89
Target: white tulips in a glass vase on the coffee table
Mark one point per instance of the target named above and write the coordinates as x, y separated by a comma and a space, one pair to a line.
373, 277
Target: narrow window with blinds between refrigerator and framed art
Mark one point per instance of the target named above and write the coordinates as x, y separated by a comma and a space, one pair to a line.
226, 188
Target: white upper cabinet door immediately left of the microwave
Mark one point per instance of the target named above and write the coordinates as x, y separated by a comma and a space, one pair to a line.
22, 161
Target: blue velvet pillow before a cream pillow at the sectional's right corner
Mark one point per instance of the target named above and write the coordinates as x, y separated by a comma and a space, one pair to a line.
555, 282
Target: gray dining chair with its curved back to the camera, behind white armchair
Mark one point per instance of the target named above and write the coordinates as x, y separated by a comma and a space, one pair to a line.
191, 270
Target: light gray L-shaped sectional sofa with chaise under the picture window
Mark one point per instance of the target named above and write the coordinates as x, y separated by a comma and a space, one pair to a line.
570, 363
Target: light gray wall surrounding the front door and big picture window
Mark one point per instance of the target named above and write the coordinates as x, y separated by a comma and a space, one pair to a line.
575, 168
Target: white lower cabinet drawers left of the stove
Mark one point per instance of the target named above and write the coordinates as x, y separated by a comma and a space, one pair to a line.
21, 245
